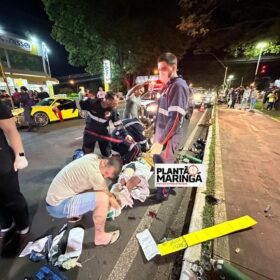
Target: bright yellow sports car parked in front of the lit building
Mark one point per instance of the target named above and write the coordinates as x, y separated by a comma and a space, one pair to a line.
42, 112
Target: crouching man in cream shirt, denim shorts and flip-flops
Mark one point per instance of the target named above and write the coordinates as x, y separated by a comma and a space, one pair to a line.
80, 187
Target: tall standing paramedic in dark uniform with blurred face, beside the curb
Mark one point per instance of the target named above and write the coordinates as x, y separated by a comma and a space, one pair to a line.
173, 104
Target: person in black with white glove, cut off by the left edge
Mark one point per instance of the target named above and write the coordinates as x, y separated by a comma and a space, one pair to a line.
13, 206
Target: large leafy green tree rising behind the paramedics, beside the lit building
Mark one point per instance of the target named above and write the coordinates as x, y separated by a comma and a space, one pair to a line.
131, 35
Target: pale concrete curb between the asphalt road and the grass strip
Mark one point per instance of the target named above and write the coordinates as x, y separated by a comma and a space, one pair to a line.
193, 253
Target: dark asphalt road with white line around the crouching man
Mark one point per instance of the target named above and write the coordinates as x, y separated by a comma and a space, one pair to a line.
49, 150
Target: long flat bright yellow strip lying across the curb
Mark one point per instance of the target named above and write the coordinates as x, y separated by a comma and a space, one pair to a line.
206, 234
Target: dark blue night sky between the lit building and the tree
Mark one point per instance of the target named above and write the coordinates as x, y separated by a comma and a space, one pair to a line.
23, 17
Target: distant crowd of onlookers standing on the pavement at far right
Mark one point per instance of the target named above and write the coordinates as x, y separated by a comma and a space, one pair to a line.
246, 97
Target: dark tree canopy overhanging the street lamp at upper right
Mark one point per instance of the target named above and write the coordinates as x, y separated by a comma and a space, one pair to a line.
233, 26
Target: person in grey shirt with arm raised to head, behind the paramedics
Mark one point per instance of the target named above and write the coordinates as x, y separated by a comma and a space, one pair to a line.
133, 101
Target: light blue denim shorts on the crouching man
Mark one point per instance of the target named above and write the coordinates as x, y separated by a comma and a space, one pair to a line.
73, 206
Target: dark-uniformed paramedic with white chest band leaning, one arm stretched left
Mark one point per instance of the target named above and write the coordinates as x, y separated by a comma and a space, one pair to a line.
100, 112
